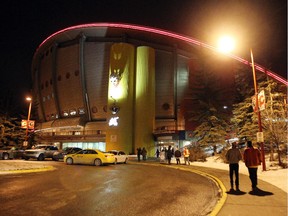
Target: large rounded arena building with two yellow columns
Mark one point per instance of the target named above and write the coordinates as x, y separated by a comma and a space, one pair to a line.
117, 86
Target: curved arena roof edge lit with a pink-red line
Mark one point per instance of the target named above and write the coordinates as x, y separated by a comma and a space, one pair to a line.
106, 29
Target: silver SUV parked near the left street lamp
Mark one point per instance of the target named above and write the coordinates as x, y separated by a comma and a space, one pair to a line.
40, 152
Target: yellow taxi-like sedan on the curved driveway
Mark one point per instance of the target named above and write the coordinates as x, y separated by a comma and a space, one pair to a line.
90, 156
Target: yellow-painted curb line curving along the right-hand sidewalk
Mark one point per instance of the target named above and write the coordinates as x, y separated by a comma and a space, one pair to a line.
216, 180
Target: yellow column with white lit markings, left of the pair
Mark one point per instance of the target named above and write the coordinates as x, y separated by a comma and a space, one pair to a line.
121, 96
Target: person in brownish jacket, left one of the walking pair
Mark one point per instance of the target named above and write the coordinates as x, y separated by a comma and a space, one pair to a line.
233, 156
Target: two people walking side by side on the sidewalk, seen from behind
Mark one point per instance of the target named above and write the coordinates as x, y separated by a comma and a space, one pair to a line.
251, 158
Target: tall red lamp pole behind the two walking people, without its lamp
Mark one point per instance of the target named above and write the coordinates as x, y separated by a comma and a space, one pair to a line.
258, 111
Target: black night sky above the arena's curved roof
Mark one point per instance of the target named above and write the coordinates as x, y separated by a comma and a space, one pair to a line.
257, 24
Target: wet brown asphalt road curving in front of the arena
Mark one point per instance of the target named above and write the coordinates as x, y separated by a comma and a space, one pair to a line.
122, 189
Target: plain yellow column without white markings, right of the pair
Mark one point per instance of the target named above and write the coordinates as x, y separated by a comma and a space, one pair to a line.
144, 119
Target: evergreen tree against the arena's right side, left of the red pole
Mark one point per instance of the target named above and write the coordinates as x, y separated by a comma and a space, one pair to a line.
207, 99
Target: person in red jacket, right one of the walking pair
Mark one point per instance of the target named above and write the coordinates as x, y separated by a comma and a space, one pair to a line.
252, 159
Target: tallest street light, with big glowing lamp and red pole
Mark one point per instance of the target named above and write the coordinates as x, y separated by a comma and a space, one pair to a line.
225, 45
